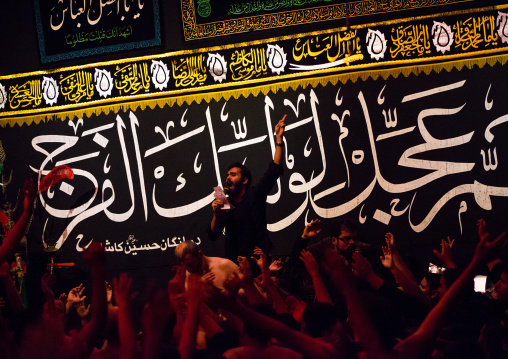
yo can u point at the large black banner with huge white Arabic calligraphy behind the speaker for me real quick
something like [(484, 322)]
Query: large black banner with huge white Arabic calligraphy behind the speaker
[(421, 156)]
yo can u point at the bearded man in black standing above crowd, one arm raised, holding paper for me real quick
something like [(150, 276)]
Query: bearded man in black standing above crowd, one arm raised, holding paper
[(245, 224)]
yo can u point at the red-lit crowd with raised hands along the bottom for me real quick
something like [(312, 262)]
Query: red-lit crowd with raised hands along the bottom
[(215, 308)]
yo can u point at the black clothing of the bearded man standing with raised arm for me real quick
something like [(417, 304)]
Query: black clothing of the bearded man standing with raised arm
[(246, 223)]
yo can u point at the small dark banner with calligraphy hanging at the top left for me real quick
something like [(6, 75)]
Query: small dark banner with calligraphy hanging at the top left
[(77, 28)]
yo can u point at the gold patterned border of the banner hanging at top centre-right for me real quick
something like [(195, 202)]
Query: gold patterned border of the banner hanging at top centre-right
[(194, 31)]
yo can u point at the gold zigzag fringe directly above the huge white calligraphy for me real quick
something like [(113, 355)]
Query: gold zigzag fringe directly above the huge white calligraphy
[(256, 90)]
